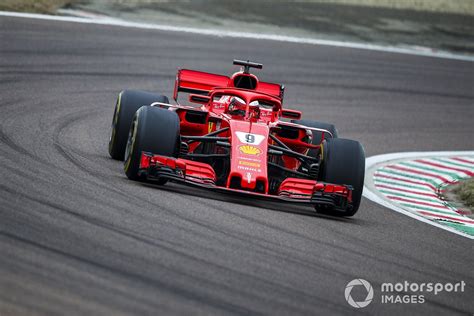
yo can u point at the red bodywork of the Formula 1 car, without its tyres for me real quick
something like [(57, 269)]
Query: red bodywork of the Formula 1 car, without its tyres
[(244, 116)]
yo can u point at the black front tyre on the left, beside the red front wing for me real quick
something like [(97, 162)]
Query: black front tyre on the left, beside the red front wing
[(153, 130)]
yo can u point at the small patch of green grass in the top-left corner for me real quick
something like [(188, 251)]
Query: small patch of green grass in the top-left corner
[(35, 6)]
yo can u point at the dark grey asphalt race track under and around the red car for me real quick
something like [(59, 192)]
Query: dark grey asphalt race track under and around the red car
[(77, 237)]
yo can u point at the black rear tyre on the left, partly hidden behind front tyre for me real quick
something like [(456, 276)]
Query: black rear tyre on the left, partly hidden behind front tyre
[(128, 102)]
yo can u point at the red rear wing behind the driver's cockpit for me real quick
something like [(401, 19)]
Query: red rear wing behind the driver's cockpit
[(198, 82)]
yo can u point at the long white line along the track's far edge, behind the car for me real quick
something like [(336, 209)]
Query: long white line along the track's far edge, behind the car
[(426, 52)]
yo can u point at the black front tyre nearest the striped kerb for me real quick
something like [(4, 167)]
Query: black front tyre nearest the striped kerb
[(343, 163)]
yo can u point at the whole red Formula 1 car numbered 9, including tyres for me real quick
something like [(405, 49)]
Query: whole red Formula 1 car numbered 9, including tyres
[(237, 138)]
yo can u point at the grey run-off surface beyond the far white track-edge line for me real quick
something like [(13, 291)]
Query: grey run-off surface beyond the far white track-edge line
[(331, 21)]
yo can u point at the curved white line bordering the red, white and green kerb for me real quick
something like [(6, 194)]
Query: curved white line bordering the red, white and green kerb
[(369, 193)]
